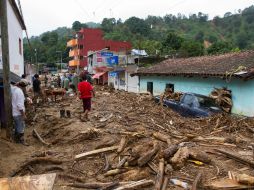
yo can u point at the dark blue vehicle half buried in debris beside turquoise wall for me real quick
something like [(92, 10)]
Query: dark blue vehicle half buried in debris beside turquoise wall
[(192, 105)]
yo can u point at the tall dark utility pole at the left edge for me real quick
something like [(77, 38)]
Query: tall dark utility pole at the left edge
[(6, 67)]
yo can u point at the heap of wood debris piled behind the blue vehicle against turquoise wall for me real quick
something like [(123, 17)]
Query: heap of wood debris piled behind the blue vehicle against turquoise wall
[(223, 98)]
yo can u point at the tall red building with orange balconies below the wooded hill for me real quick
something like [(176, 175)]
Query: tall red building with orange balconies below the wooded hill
[(88, 40)]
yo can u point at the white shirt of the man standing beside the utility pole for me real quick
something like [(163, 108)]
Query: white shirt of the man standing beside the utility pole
[(18, 101)]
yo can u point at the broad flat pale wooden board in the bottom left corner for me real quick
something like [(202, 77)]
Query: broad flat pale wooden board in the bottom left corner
[(35, 182)]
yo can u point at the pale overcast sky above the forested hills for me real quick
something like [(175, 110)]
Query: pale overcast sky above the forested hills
[(45, 15)]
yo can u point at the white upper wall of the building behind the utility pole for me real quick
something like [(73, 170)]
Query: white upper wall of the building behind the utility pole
[(15, 33)]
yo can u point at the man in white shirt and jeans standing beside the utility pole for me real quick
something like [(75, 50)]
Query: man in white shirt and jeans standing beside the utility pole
[(18, 112)]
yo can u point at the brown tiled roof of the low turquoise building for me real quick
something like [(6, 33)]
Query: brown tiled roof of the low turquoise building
[(237, 64)]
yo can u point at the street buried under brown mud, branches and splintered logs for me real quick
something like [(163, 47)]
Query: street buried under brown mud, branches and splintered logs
[(137, 125)]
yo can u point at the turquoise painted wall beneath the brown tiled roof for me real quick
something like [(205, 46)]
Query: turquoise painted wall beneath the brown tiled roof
[(242, 91)]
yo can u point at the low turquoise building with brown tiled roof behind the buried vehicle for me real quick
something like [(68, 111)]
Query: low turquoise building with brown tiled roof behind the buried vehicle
[(201, 75)]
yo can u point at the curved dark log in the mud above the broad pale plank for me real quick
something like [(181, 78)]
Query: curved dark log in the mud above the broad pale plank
[(35, 161)]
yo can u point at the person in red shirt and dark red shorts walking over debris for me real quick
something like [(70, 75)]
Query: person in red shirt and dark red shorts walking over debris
[(85, 90)]
